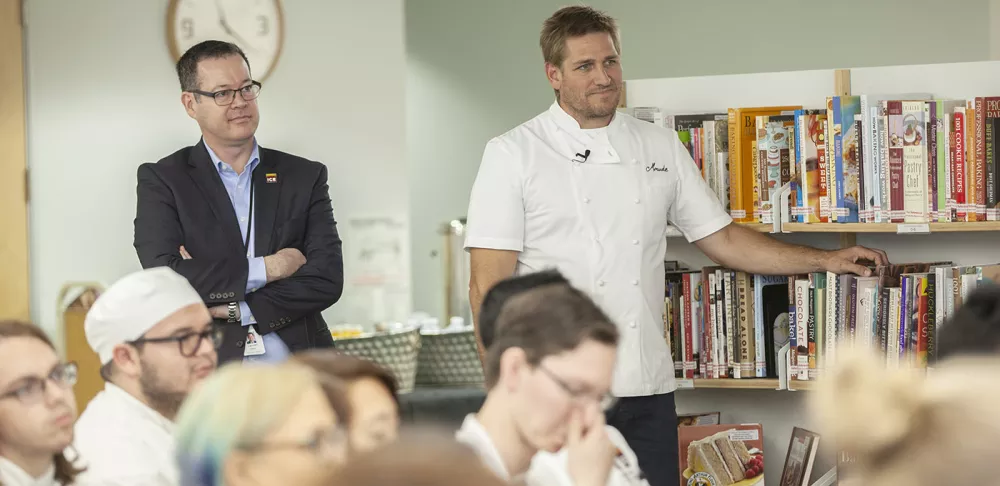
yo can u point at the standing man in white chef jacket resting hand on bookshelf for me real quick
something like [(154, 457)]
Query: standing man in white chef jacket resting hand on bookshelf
[(590, 191)]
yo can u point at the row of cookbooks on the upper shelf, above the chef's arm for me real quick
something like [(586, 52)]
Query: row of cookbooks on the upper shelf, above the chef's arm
[(904, 158)]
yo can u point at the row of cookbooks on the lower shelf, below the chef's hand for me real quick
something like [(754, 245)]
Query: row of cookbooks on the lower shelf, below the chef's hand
[(722, 323)]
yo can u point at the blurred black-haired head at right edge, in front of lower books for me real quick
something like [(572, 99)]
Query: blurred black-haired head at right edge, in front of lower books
[(973, 329)]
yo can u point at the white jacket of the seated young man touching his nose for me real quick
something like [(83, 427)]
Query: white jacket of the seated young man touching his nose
[(549, 469)]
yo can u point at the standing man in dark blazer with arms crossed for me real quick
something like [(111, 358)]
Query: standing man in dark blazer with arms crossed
[(251, 228)]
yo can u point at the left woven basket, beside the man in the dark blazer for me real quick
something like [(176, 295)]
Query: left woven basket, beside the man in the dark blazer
[(395, 351)]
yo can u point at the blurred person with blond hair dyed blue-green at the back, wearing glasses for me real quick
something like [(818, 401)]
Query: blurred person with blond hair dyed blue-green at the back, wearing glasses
[(259, 424)]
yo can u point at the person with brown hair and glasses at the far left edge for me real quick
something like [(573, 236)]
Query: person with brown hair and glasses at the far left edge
[(37, 409)]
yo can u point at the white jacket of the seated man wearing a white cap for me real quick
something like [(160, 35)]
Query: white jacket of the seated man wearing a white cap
[(123, 442)]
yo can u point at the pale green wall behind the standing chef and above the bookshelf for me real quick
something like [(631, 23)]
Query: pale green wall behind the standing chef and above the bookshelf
[(475, 71)]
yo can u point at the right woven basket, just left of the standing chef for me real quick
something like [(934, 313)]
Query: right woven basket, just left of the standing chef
[(449, 359)]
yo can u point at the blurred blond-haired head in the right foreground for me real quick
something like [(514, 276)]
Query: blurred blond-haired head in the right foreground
[(912, 426)]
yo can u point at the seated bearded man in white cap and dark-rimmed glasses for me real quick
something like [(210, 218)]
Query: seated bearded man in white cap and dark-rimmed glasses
[(156, 341)]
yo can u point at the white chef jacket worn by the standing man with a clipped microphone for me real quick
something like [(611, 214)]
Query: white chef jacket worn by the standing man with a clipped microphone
[(601, 222)]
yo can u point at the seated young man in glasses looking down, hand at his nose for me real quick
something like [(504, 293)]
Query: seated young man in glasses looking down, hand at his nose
[(550, 353)]
